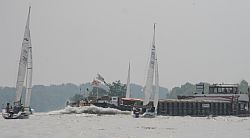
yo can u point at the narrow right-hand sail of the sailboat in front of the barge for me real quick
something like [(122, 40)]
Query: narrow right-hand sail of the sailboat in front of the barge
[(156, 96)]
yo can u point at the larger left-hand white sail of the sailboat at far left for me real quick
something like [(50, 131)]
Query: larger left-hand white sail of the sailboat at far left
[(23, 60)]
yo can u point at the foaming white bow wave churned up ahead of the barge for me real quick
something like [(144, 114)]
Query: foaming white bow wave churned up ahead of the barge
[(88, 109)]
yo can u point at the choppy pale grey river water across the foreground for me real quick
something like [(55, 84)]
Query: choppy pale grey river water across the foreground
[(81, 125)]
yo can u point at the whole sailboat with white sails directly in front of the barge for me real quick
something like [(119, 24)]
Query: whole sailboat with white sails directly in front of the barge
[(151, 93)]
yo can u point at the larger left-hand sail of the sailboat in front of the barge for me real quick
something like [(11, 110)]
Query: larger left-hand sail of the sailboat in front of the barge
[(150, 76)]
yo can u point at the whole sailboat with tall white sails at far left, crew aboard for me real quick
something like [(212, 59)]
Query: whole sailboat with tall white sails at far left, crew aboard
[(20, 111)]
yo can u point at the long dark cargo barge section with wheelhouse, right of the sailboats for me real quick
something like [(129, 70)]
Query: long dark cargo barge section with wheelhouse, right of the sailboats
[(222, 100)]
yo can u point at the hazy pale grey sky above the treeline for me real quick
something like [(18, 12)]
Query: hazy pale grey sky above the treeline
[(196, 40)]
